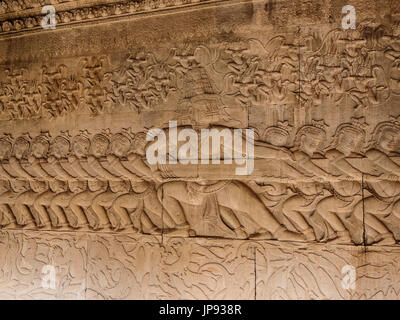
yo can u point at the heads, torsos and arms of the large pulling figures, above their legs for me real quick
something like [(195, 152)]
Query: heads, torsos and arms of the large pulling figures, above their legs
[(84, 155)]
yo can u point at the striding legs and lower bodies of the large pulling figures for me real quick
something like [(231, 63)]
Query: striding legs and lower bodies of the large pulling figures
[(141, 206)]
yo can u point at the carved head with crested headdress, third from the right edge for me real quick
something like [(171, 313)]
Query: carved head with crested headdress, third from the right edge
[(310, 138)]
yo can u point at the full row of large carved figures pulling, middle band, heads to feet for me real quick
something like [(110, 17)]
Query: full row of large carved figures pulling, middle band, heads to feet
[(104, 189)]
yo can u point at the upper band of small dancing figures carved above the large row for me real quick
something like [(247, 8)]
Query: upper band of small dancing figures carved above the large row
[(348, 68)]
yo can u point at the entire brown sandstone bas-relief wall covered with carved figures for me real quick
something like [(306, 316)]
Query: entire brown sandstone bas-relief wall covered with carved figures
[(77, 102)]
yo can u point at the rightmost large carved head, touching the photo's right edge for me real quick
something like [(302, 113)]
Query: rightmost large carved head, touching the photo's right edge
[(386, 136)]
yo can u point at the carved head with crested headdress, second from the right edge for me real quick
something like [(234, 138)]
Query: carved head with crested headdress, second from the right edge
[(350, 137)]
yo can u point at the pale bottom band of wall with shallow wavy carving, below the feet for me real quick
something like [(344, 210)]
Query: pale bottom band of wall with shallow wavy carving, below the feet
[(115, 266)]
